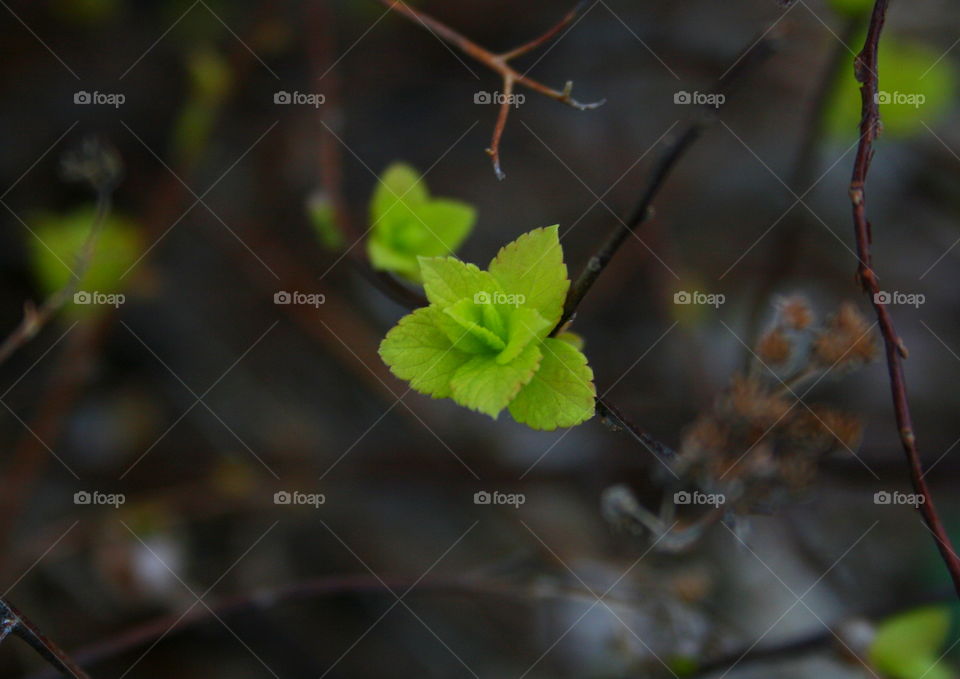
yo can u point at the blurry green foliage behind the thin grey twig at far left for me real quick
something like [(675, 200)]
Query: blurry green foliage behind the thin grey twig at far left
[(59, 239)]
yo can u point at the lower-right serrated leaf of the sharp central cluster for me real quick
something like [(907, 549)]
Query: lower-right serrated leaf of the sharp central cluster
[(561, 394)]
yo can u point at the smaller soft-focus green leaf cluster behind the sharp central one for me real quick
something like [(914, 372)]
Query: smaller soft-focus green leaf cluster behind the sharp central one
[(408, 223)]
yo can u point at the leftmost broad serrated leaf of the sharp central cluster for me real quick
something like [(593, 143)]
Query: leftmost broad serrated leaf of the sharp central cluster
[(417, 351)]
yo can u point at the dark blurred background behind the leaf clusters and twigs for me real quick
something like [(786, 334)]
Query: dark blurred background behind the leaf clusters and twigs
[(194, 399)]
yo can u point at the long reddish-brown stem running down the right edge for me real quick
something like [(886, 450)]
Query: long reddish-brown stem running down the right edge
[(866, 72)]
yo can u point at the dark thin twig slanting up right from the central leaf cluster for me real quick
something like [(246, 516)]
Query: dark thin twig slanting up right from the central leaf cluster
[(675, 150)]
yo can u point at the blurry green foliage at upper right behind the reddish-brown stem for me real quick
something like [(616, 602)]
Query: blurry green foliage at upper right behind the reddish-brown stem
[(913, 90)]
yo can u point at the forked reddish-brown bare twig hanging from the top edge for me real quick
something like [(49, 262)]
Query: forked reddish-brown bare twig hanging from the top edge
[(500, 63)]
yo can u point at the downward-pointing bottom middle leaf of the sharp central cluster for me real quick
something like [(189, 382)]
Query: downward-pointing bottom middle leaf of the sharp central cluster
[(486, 386)]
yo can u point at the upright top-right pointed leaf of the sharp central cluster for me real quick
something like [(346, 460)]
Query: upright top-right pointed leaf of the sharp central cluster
[(532, 266)]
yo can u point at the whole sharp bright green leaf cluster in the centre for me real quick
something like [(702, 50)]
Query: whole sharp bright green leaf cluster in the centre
[(484, 339)]
